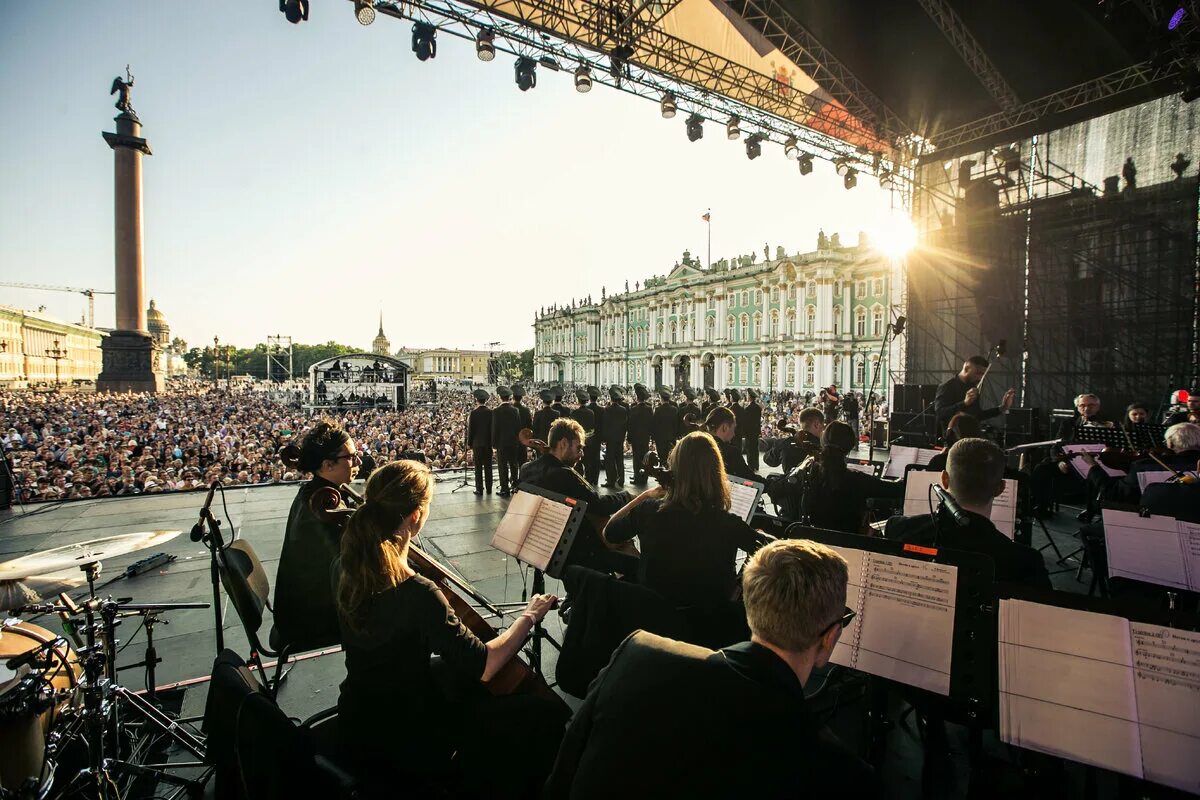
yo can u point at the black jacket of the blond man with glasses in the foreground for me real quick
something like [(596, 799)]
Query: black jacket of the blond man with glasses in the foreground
[(674, 720)]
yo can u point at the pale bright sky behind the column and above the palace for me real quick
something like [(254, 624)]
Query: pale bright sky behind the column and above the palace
[(307, 178)]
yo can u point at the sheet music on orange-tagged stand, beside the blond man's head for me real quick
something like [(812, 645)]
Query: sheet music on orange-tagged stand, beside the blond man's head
[(904, 629)]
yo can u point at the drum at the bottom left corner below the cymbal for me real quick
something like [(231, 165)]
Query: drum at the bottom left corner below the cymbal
[(31, 700)]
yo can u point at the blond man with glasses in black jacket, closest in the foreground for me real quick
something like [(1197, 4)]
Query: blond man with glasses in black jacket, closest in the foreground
[(753, 736)]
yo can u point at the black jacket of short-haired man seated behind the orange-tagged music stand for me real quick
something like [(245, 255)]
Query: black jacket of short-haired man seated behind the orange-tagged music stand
[(1015, 563)]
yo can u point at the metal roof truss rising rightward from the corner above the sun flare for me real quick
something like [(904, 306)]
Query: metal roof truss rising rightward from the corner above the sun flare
[(1137, 77)]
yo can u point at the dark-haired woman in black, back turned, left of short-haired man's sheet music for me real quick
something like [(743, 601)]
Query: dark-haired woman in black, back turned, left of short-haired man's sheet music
[(836, 497)]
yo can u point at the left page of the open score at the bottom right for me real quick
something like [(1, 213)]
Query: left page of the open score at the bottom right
[(1066, 685)]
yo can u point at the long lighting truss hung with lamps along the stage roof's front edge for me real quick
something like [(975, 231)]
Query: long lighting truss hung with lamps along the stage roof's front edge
[(752, 99)]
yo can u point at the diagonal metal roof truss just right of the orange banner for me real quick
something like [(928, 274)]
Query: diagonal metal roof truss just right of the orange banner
[(772, 20)]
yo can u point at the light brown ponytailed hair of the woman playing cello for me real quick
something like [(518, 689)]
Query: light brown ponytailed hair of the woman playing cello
[(373, 543)]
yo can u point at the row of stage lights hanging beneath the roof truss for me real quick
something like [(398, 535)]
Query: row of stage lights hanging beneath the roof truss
[(425, 47)]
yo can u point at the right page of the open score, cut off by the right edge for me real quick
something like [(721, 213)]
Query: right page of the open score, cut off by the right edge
[(1167, 681)]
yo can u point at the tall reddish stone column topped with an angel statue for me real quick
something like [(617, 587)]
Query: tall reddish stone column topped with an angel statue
[(130, 354)]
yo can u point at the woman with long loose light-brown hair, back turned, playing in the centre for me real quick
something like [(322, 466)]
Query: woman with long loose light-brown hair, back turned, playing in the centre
[(688, 538)]
